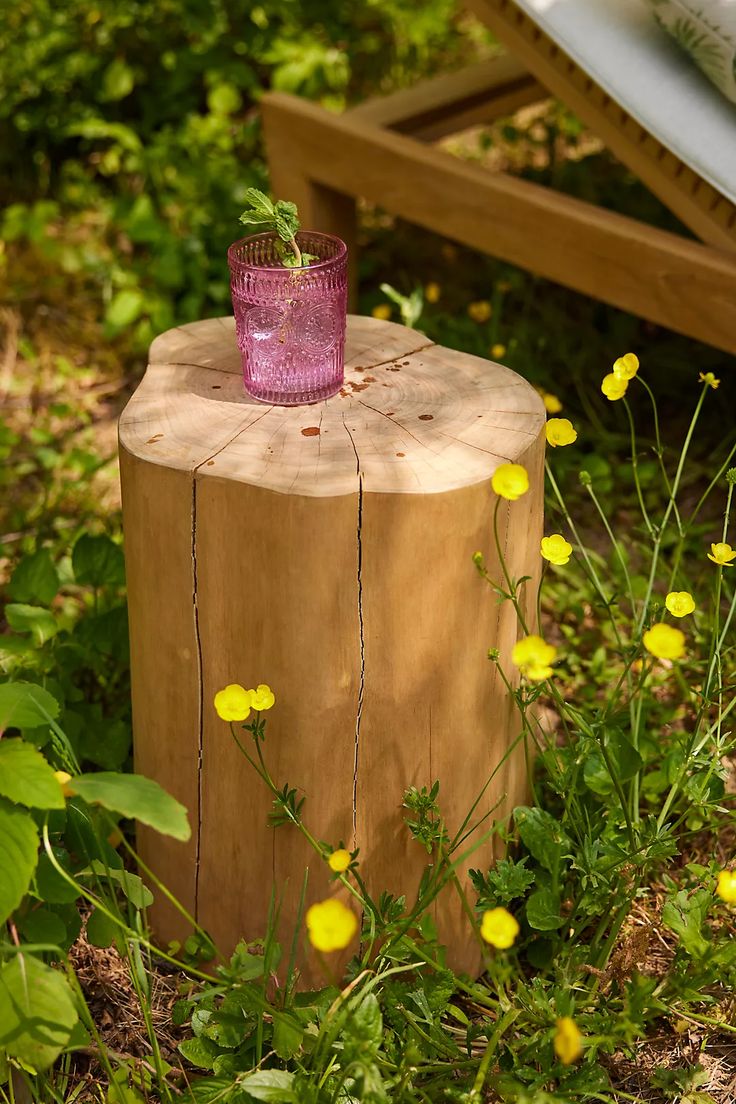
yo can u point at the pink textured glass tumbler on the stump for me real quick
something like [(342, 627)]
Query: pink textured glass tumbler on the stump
[(291, 323)]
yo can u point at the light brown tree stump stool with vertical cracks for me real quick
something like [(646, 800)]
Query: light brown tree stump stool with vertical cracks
[(326, 550)]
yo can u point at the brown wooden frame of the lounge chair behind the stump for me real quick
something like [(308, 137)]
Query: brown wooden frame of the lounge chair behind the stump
[(381, 152)]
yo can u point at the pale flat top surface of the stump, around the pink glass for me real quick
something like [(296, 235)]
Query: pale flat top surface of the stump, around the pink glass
[(413, 418)]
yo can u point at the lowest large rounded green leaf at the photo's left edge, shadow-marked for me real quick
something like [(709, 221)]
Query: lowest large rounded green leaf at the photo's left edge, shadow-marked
[(37, 1012)]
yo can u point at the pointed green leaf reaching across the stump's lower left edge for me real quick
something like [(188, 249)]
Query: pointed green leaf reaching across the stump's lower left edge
[(136, 798)]
